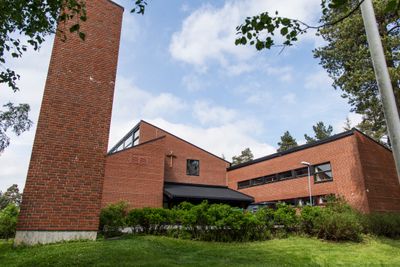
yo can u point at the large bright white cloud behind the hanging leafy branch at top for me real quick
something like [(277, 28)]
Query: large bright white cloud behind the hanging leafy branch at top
[(208, 33)]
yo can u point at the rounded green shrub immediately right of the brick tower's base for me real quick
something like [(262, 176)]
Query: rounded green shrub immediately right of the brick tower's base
[(113, 219)]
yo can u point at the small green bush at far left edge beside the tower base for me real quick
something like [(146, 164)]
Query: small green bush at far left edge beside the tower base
[(8, 221)]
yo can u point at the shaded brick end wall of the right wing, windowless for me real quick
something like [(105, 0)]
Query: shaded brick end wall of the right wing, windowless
[(379, 170)]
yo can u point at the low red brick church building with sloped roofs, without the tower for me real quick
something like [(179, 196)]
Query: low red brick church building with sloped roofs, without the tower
[(144, 166)]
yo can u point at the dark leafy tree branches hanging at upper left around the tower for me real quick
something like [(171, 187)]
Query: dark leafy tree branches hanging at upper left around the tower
[(25, 24)]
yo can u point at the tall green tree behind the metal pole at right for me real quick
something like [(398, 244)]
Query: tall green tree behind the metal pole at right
[(347, 60)]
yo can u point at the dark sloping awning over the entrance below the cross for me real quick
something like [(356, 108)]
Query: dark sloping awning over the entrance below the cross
[(209, 192)]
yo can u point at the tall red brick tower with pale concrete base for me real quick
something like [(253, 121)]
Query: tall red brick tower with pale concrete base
[(62, 195)]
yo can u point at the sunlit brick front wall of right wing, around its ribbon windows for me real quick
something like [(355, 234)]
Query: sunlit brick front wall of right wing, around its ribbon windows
[(347, 176)]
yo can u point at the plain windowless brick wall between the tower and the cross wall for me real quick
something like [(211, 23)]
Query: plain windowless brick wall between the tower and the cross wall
[(136, 175)]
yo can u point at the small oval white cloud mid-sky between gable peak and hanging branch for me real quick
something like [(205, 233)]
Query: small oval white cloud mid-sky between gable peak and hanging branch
[(208, 114)]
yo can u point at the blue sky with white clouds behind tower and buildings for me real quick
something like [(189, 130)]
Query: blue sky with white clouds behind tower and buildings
[(180, 70)]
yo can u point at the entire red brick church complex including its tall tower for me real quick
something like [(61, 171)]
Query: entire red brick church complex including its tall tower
[(71, 175)]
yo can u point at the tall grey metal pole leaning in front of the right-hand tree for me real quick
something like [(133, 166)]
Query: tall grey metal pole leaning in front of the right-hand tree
[(383, 80)]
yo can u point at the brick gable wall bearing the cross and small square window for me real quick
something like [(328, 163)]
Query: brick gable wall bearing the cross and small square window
[(212, 168)]
